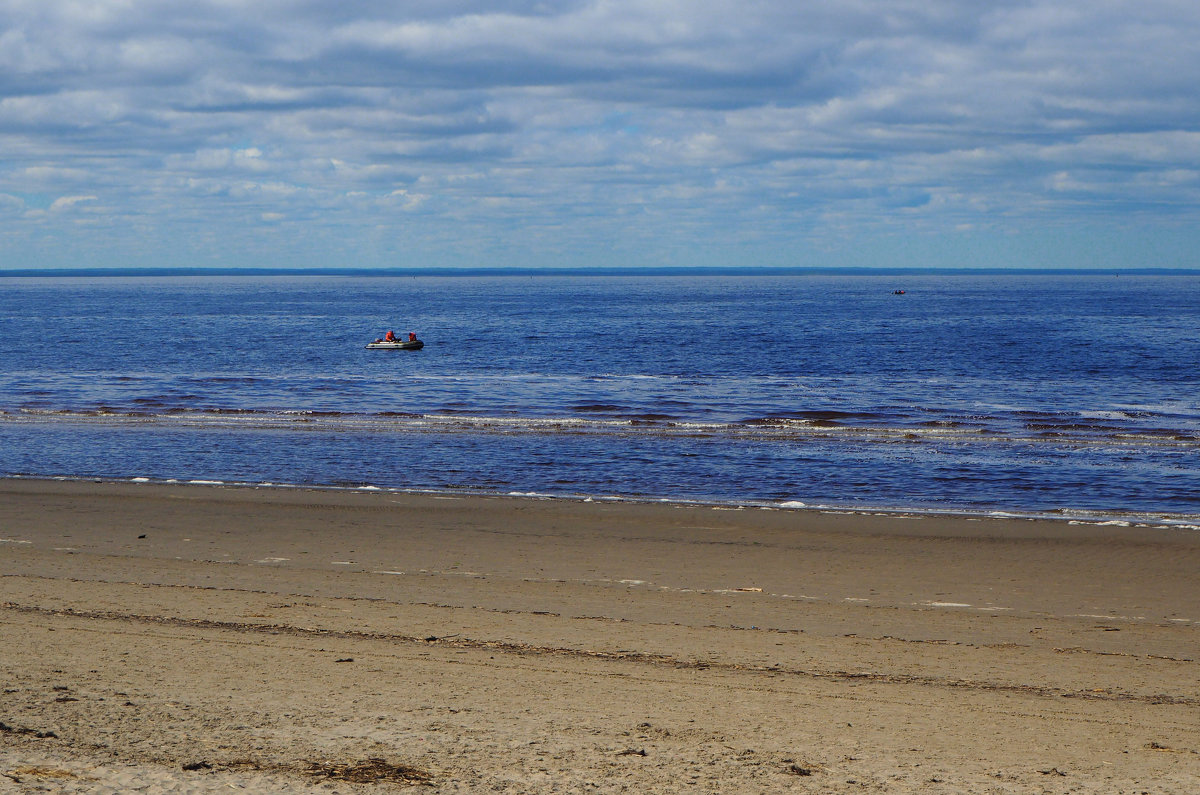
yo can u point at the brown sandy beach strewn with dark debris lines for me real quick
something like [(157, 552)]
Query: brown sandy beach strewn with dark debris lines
[(199, 638)]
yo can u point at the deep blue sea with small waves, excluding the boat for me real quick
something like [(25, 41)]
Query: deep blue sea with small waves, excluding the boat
[(1069, 396)]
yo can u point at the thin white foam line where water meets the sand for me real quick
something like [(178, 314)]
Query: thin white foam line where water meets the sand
[(1084, 517)]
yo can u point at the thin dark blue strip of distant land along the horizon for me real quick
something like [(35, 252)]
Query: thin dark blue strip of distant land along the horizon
[(683, 271)]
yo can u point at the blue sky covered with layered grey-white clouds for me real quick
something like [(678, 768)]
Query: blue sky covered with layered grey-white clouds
[(447, 134)]
